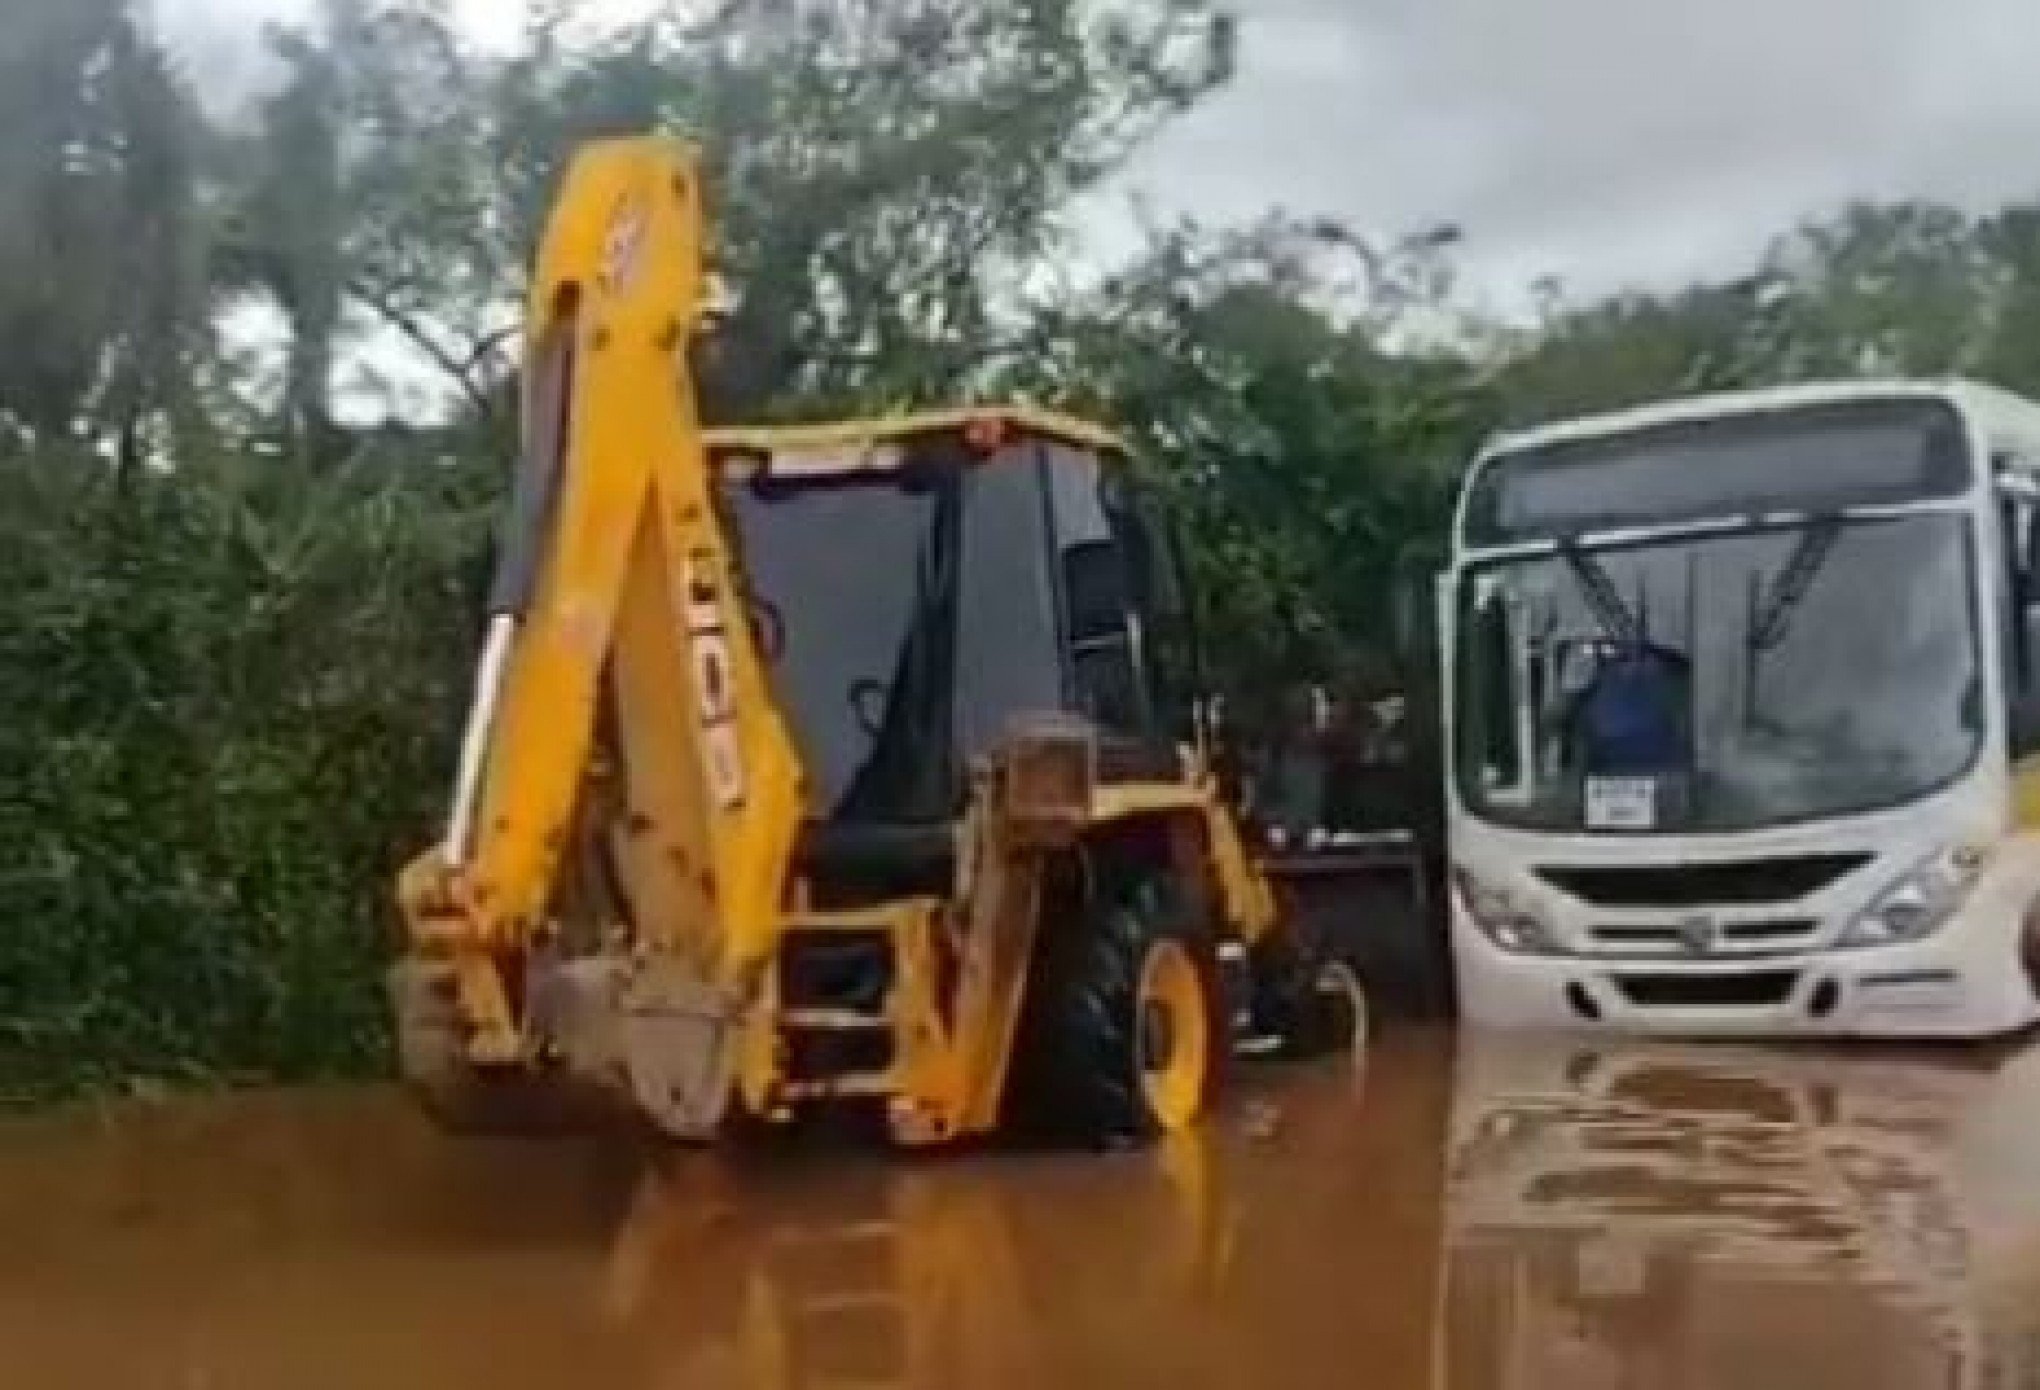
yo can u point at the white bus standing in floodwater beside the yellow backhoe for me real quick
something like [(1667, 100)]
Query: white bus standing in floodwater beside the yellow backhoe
[(1743, 701)]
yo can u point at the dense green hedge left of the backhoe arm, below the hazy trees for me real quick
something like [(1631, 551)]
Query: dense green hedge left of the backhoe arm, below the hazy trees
[(221, 691)]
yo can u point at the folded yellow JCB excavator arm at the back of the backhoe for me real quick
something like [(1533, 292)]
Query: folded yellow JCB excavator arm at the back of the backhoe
[(617, 607)]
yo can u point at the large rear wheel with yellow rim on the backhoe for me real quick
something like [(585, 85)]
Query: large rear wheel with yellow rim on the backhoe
[(1123, 1036)]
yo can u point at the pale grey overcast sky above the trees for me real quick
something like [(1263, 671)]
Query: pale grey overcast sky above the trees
[(1609, 142)]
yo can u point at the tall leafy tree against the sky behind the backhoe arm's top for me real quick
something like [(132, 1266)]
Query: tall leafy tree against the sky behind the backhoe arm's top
[(882, 175)]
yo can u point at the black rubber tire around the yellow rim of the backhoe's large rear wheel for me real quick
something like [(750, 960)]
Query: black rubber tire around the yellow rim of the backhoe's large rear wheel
[(1078, 1062)]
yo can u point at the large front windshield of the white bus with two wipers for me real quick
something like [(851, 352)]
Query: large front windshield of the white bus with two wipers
[(1721, 681)]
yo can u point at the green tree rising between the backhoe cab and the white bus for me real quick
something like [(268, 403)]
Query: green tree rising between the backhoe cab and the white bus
[(1309, 466)]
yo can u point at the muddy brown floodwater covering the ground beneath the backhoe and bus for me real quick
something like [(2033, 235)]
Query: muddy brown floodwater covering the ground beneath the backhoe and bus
[(1472, 1213)]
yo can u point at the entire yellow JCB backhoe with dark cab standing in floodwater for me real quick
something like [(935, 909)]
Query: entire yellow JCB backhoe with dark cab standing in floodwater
[(821, 768)]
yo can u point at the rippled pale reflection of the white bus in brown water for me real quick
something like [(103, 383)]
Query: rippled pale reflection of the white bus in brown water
[(1717, 1215)]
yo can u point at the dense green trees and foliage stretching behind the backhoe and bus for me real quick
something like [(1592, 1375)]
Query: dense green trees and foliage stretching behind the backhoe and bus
[(236, 622)]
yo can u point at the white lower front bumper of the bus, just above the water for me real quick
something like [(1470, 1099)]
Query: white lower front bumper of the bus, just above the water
[(1941, 987)]
